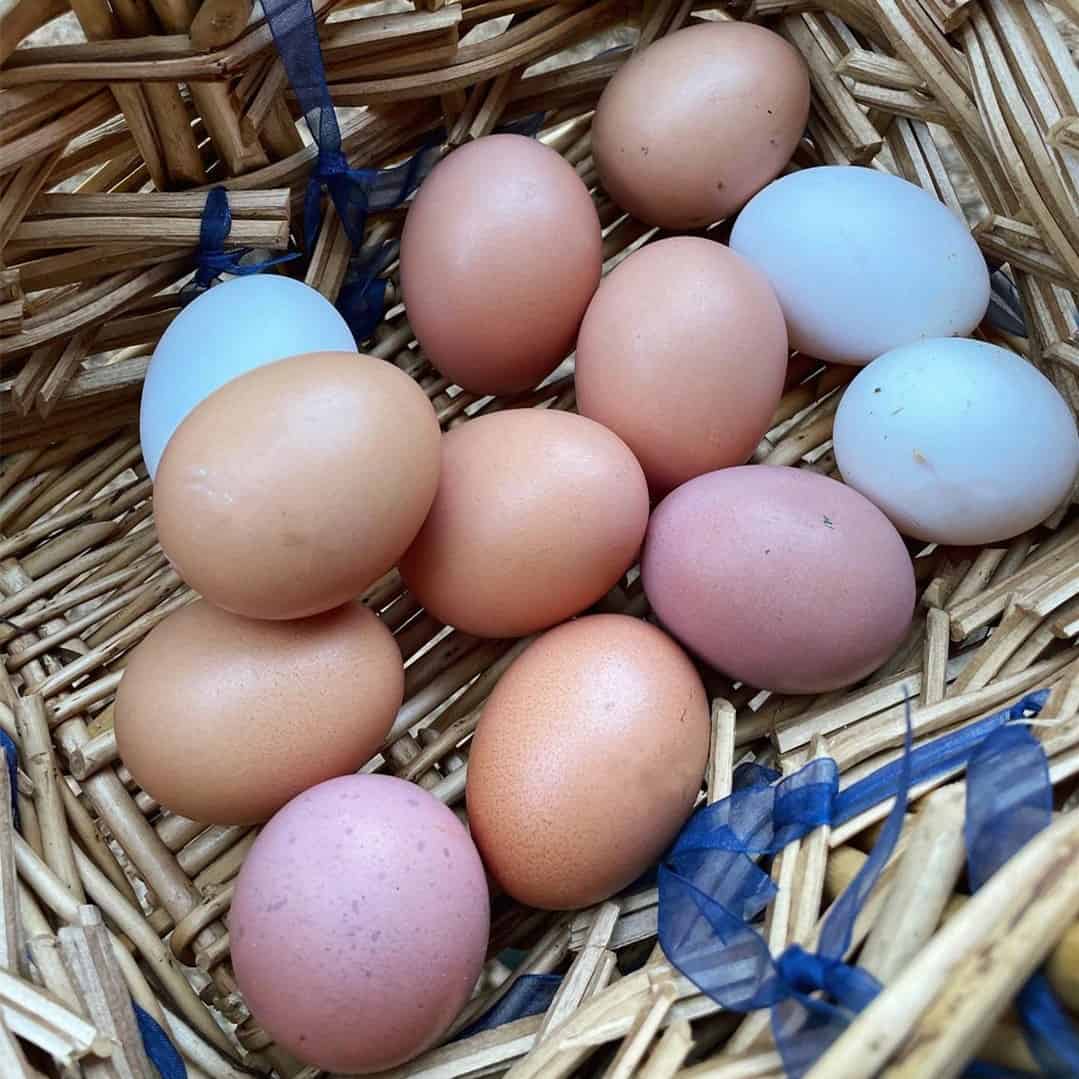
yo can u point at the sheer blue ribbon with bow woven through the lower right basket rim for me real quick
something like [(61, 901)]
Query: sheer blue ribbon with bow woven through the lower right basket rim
[(712, 887)]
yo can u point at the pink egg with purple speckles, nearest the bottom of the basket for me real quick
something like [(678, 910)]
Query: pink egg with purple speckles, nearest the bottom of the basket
[(360, 924)]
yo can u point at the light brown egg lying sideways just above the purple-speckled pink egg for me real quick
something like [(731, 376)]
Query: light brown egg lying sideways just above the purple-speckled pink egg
[(225, 719)]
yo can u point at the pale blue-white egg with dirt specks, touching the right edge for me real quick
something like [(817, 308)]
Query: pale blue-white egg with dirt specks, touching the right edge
[(958, 442)]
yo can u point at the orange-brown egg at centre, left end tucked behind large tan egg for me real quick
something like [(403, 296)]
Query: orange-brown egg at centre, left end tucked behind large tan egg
[(539, 514)]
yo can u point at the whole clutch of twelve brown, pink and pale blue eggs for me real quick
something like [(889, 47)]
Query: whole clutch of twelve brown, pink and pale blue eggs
[(292, 474)]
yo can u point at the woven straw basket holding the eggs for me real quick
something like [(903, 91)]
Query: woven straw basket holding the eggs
[(110, 142)]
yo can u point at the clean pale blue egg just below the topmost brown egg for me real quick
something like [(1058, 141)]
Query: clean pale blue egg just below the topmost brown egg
[(863, 262)]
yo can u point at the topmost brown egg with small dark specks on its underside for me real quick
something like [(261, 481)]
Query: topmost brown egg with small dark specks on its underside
[(693, 126)]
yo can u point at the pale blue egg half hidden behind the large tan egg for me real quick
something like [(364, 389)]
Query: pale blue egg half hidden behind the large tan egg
[(229, 331)]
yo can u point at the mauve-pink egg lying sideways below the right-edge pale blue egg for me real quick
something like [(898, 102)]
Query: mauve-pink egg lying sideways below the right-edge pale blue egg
[(780, 578)]
